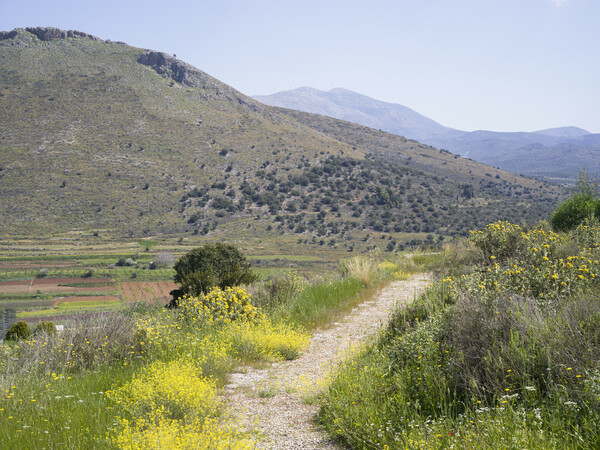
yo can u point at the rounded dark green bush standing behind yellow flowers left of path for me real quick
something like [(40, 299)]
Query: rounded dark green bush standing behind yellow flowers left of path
[(221, 265)]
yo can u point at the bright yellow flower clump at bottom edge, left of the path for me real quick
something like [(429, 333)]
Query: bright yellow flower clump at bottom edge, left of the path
[(170, 405)]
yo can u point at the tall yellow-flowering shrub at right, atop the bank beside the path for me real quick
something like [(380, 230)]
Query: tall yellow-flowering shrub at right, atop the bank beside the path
[(539, 268)]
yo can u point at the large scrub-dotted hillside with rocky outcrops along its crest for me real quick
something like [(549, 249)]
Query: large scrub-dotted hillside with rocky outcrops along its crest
[(99, 135)]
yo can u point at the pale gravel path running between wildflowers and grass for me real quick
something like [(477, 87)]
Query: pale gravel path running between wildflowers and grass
[(270, 400)]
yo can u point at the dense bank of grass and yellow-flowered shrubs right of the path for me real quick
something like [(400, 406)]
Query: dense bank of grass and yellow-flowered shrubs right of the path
[(489, 359)]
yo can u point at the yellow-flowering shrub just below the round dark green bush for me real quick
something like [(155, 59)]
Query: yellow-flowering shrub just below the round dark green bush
[(233, 328)]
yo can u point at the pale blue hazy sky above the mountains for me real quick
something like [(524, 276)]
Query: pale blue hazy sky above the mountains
[(503, 65)]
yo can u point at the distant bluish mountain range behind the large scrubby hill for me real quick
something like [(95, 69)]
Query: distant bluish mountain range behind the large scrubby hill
[(556, 153)]
